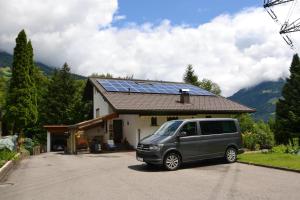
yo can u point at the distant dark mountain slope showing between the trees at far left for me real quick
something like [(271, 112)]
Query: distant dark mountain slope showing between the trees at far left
[(6, 60)]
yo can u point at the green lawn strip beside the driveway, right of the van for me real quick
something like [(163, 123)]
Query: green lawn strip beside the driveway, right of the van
[(272, 159)]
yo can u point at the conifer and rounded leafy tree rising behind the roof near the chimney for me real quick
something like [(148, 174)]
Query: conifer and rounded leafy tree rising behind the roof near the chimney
[(191, 78)]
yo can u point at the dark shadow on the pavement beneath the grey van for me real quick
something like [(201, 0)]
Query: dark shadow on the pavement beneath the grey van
[(199, 165)]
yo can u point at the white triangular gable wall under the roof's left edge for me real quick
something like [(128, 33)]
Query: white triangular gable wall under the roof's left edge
[(99, 102)]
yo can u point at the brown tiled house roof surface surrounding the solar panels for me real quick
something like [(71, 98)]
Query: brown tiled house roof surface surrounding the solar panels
[(145, 103)]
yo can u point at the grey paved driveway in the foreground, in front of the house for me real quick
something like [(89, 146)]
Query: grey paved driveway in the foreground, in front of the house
[(120, 176)]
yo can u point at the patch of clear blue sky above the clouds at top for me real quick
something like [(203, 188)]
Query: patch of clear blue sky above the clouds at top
[(191, 12)]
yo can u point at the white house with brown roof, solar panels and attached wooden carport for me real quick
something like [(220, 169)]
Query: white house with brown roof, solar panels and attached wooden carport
[(128, 110)]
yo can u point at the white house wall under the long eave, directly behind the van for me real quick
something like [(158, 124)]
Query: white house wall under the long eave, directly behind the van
[(133, 123)]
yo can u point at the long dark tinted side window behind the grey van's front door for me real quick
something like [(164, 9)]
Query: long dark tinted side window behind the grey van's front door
[(217, 127)]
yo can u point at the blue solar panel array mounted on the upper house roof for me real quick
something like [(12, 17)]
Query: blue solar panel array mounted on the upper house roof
[(150, 87)]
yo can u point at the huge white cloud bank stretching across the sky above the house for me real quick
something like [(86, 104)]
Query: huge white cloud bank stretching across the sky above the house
[(234, 51)]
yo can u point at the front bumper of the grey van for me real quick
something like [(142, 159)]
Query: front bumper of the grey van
[(152, 157)]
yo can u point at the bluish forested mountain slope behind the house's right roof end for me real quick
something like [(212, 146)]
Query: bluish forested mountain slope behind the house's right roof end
[(262, 97)]
